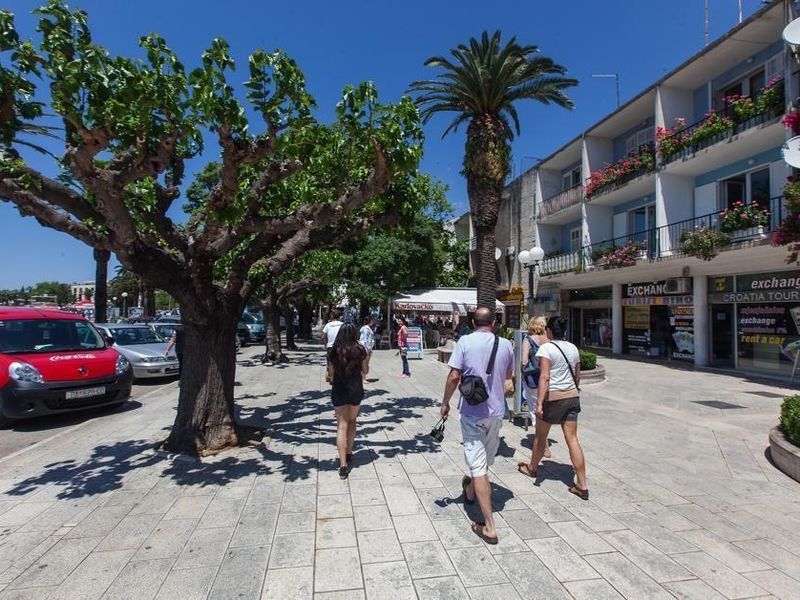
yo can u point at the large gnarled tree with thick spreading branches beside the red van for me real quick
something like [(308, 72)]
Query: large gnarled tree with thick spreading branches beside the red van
[(131, 129)]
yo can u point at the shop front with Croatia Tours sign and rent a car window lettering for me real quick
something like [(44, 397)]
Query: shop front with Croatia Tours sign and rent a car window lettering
[(755, 321)]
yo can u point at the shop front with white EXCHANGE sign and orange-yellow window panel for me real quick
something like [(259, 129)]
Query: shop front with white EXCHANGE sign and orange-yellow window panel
[(658, 319)]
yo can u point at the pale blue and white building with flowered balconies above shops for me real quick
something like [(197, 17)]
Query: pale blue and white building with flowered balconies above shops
[(657, 221)]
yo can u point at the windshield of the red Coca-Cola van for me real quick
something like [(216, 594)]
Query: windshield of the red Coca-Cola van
[(48, 335)]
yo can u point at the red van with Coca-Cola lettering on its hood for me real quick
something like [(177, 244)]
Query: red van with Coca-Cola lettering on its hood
[(52, 361)]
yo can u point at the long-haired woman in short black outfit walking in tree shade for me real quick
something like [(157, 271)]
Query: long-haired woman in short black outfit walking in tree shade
[(346, 369)]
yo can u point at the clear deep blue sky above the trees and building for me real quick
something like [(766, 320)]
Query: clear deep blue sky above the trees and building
[(349, 41)]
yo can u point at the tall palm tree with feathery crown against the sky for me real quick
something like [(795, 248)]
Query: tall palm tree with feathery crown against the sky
[(481, 85)]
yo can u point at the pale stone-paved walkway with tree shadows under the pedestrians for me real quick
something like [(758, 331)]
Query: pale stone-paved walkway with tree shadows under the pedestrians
[(684, 502)]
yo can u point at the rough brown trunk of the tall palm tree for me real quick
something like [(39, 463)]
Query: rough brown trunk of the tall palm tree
[(486, 166)]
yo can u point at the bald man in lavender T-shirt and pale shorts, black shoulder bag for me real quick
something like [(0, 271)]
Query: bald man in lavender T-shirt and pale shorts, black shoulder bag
[(479, 367)]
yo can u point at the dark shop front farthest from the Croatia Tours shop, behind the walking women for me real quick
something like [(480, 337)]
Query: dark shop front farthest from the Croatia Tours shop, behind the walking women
[(590, 318)]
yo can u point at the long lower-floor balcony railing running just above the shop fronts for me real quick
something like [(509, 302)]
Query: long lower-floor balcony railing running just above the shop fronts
[(656, 243)]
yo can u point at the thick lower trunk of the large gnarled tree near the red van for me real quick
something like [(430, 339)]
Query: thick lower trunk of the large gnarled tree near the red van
[(205, 423)]
